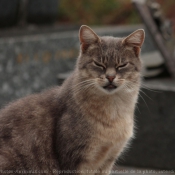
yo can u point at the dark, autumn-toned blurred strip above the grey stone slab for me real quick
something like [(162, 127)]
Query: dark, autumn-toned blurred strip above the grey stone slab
[(75, 12)]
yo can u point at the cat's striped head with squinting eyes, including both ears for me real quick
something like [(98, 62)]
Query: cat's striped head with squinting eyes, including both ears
[(109, 63)]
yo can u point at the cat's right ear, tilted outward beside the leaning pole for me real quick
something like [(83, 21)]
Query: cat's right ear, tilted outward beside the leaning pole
[(135, 40)]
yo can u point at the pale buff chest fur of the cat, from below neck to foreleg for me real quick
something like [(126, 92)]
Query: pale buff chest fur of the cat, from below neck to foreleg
[(112, 120)]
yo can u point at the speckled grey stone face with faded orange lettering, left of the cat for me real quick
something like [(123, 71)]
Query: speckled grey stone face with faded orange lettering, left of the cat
[(30, 66)]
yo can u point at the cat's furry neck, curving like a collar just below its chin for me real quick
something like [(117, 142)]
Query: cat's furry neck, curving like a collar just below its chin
[(94, 102)]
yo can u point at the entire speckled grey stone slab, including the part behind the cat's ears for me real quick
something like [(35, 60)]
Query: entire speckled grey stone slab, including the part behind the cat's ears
[(30, 63)]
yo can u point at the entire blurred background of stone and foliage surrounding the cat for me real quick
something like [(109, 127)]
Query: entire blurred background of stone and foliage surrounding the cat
[(39, 45)]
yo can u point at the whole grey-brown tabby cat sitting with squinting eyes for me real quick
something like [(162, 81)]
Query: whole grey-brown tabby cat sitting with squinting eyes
[(82, 126)]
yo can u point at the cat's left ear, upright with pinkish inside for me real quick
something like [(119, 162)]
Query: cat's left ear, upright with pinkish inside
[(87, 37)]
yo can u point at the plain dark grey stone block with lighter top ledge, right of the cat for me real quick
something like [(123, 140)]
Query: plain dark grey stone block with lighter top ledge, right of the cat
[(155, 132)]
